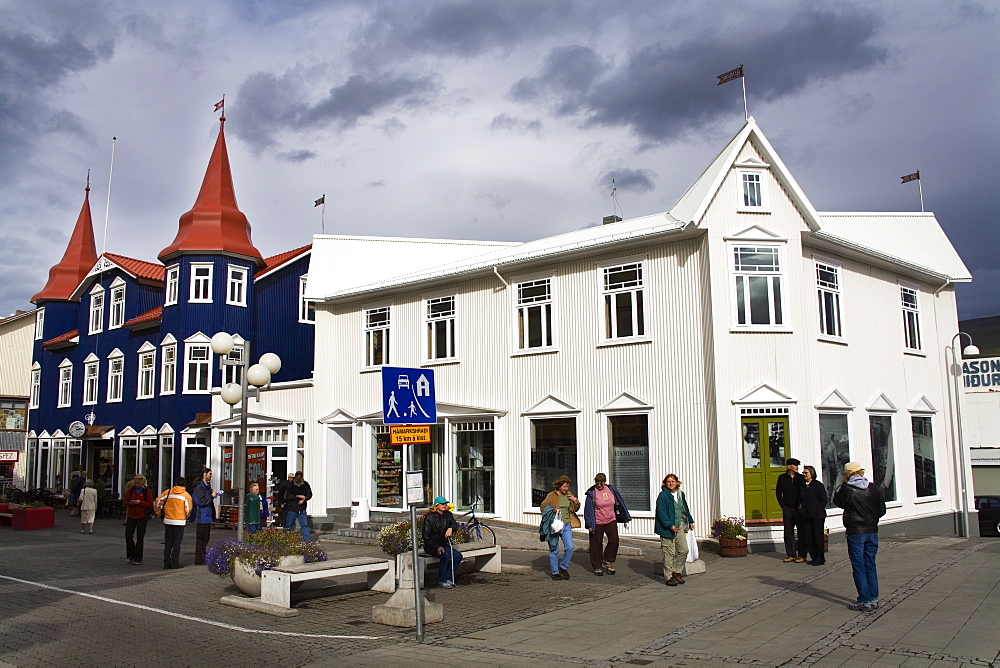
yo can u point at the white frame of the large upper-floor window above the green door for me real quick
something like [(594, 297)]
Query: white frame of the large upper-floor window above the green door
[(741, 288)]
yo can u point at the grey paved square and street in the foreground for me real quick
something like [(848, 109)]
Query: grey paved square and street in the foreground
[(73, 599)]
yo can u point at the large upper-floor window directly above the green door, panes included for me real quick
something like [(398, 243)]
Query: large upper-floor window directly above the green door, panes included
[(757, 286)]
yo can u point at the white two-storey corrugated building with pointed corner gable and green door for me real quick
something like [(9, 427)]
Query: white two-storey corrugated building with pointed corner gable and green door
[(714, 340)]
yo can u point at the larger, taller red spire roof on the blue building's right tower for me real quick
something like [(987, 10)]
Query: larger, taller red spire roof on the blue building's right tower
[(215, 223)]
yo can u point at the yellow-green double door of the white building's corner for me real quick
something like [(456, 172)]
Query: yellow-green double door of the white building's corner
[(765, 448)]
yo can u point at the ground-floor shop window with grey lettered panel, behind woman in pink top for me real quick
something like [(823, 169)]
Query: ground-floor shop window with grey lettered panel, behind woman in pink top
[(629, 459)]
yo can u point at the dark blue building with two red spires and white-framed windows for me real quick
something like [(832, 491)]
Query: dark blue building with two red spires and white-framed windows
[(123, 372)]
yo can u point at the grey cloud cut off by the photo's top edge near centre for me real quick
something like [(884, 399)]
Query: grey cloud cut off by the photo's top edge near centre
[(463, 29)]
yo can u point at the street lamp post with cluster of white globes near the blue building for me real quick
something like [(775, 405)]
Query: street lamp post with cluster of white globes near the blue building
[(258, 375)]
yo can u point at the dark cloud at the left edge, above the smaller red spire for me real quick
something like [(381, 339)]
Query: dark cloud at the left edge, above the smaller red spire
[(32, 68)]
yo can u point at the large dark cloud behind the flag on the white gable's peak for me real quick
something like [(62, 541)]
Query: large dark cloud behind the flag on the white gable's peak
[(667, 88)]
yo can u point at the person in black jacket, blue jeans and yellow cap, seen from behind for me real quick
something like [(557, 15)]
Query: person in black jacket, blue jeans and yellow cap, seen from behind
[(863, 506)]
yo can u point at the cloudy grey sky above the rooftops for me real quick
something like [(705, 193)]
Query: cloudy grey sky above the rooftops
[(493, 119)]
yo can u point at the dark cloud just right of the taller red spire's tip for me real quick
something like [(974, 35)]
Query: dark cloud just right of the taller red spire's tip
[(276, 102)]
